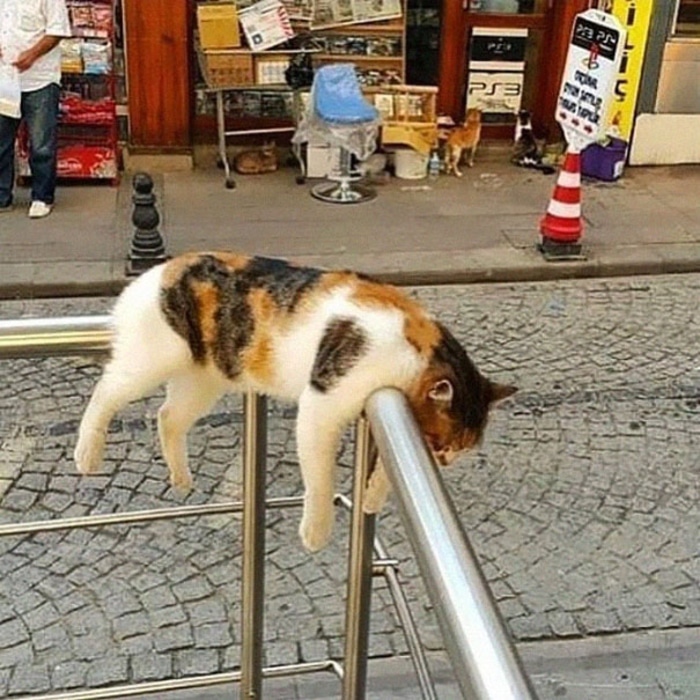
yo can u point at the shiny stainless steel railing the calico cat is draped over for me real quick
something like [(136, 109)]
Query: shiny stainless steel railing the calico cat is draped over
[(486, 663)]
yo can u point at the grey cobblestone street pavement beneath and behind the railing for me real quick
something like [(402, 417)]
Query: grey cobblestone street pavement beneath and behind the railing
[(583, 503)]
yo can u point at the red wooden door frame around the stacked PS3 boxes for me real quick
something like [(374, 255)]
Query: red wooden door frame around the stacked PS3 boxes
[(556, 25)]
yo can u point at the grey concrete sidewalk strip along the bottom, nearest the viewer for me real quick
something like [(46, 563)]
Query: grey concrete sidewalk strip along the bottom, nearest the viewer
[(636, 666)]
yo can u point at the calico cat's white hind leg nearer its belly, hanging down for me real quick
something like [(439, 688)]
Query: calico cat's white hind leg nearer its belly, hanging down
[(189, 396)]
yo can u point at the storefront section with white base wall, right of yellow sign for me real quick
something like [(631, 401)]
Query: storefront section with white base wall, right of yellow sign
[(667, 126)]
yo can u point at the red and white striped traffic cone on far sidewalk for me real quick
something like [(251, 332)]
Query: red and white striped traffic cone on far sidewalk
[(561, 226)]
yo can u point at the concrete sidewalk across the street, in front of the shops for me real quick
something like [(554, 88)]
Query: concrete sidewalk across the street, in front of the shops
[(483, 227)]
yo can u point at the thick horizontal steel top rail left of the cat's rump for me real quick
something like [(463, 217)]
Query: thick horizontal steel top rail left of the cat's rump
[(51, 337)]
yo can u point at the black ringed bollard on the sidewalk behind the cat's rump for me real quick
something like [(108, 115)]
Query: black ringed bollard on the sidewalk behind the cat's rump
[(147, 247)]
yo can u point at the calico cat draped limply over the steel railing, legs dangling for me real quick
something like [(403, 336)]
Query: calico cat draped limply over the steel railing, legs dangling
[(209, 323)]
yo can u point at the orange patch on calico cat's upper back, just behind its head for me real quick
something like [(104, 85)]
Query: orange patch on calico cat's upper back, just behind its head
[(419, 329)]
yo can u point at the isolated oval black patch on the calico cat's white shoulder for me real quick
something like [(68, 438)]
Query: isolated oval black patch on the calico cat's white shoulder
[(342, 345)]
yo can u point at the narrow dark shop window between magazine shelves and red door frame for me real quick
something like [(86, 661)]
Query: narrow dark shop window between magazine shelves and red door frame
[(422, 41)]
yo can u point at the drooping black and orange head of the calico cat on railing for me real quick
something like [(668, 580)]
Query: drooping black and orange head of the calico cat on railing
[(452, 399)]
